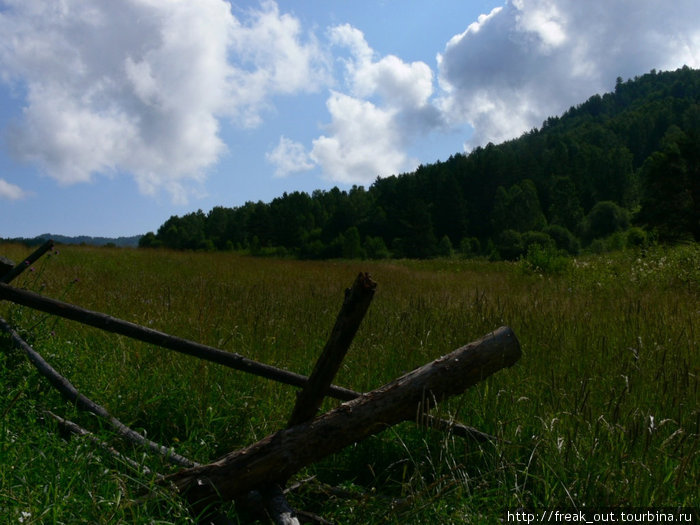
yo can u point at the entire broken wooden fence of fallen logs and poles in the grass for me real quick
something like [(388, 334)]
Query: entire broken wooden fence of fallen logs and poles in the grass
[(259, 464)]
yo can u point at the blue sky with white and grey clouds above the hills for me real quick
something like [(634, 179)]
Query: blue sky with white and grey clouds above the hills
[(116, 114)]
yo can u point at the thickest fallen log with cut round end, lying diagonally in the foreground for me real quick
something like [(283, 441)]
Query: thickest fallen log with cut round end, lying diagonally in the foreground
[(282, 454)]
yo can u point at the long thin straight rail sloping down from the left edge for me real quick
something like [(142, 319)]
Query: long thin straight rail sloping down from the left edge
[(154, 337)]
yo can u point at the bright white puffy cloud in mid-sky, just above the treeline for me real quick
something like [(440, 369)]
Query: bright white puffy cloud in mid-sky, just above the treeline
[(387, 106)]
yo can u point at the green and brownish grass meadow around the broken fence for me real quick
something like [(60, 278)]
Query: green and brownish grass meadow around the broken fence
[(603, 409)]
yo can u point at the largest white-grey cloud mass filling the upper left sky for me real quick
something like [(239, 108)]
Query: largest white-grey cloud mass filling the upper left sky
[(139, 86)]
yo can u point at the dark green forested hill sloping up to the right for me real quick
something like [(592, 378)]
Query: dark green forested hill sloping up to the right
[(619, 168)]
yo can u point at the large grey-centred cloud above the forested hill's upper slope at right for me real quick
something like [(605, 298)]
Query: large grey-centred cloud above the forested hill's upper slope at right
[(531, 59)]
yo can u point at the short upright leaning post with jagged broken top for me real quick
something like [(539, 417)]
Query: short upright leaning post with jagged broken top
[(357, 300)]
